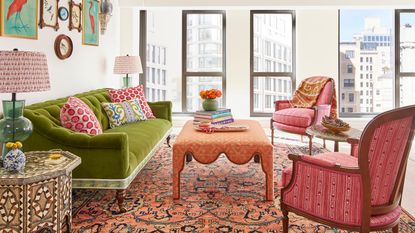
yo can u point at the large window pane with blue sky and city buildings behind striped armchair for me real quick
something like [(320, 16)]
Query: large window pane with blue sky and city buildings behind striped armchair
[(361, 30)]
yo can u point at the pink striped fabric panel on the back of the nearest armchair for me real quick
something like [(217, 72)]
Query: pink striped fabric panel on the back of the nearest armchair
[(385, 155)]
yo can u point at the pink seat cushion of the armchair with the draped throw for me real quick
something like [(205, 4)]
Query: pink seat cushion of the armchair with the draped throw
[(299, 117)]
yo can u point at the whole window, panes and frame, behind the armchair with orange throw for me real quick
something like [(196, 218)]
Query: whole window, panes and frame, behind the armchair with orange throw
[(272, 66)]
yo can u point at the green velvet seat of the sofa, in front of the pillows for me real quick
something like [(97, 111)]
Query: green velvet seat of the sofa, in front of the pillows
[(143, 136)]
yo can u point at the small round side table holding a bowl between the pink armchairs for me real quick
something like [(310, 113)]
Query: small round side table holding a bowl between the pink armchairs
[(319, 131)]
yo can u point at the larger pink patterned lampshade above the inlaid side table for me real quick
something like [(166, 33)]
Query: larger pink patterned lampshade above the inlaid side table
[(23, 71)]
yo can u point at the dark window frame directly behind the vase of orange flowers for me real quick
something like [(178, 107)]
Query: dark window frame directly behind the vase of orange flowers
[(185, 73)]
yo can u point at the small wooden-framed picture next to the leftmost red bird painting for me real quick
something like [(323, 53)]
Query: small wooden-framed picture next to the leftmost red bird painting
[(48, 14)]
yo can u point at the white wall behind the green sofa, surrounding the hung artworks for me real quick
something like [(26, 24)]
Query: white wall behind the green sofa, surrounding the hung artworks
[(89, 67)]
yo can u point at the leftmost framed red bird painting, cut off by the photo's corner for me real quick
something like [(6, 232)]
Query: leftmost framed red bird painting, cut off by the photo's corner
[(19, 18)]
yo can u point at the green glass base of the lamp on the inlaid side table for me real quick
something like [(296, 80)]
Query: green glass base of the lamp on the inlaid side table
[(14, 126)]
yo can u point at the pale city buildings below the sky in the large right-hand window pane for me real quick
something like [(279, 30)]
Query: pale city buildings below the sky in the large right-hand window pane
[(366, 80)]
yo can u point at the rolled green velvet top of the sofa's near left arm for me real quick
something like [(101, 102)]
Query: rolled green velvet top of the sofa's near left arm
[(62, 136)]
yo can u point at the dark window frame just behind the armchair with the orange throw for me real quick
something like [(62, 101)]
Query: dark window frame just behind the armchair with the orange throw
[(253, 73)]
